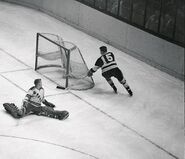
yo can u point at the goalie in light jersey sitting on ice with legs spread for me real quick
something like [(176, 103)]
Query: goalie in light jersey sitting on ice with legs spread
[(32, 104)]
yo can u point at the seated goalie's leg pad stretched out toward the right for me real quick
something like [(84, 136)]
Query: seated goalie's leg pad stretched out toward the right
[(49, 112)]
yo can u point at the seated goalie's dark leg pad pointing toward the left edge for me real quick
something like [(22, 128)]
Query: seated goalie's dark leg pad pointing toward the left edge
[(12, 109)]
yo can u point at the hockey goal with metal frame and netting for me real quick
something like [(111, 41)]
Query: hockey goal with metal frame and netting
[(61, 62)]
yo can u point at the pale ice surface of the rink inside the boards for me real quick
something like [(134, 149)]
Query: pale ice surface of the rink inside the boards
[(102, 125)]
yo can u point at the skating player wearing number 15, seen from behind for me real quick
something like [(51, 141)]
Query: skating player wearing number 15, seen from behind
[(109, 69)]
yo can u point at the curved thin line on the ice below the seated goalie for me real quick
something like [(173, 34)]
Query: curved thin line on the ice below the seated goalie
[(50, 143)]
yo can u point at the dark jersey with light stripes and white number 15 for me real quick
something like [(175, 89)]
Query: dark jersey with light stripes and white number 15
[(106, 62)]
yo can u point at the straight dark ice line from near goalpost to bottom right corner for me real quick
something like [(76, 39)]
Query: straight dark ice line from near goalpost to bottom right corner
[(124, 125)]
